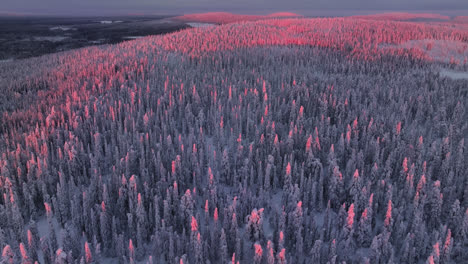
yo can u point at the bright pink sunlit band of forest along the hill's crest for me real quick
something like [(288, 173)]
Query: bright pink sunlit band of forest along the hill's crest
[(356, 33)]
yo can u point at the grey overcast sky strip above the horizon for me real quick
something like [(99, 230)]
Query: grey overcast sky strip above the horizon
[(244, 6)]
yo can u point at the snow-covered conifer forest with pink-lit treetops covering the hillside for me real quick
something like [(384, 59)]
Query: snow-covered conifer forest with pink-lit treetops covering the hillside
[(269, 141)]
